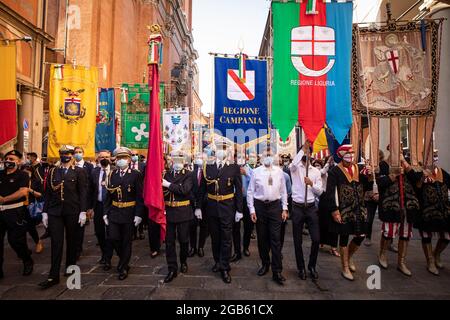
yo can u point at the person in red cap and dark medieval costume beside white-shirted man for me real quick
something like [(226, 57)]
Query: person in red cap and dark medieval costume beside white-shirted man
[(345, 202)]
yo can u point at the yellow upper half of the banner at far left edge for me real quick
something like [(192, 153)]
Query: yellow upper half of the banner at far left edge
[(8, 71)]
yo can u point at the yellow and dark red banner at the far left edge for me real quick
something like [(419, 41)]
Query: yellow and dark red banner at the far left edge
[(8, 110)]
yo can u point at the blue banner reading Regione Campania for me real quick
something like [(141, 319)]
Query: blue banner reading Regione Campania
[(240, 103)]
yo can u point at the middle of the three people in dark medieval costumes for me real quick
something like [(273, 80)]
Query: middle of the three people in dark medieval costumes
[(398, 205)]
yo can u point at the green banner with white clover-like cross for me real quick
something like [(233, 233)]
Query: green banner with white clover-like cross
[(134, 110)]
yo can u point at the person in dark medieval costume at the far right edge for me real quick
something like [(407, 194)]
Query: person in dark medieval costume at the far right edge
[(435, 214)]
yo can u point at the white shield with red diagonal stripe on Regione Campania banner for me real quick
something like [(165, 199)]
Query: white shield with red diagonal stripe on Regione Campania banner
[(238, 90)]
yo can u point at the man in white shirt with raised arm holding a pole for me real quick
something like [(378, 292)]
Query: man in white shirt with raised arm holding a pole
[(307, 182)]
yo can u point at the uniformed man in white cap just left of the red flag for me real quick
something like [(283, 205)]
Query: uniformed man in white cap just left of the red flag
[(123, 208)]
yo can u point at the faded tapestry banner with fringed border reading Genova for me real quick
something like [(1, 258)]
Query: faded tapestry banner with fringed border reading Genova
[(396, 69)]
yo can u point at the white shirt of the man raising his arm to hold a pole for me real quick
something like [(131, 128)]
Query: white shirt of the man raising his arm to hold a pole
[(298, 174)]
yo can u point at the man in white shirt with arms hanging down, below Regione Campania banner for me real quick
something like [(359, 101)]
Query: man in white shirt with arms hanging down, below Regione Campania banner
[(267, 203)]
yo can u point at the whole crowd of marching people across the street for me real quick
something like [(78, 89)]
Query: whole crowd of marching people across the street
[(335, 203)]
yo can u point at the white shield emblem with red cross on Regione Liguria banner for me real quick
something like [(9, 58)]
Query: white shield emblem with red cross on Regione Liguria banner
[(312, 41)]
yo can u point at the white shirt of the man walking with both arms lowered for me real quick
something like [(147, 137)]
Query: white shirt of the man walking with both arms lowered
[(260, 189)]
